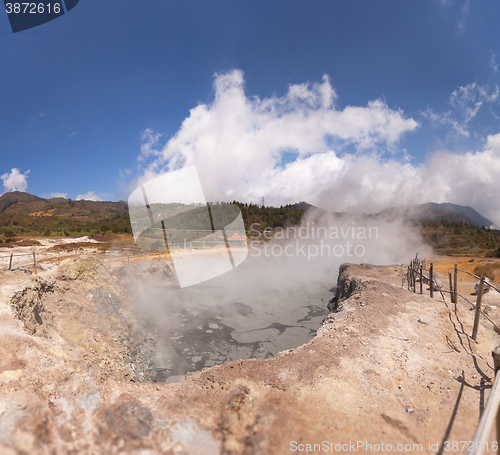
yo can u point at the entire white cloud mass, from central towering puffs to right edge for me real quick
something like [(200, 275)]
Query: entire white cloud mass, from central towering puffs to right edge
[(238, 142)]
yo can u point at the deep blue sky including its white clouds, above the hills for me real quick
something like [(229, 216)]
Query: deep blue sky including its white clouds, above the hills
[(398, 100)]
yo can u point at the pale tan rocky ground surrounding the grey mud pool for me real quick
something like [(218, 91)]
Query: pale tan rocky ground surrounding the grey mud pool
[(386, 367)]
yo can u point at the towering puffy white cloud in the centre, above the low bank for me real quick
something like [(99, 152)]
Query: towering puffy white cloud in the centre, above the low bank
[(238, 142)]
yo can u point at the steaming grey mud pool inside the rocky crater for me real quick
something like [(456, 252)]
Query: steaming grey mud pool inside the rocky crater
[(196, 329)]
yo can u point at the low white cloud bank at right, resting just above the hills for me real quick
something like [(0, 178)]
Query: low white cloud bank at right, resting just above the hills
[(369, 184)]
